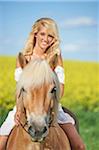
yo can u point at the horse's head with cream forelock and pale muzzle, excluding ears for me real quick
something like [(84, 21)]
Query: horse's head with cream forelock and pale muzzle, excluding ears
[(38, 90)]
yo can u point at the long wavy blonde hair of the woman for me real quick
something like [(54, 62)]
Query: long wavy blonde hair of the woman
[(53, 51)]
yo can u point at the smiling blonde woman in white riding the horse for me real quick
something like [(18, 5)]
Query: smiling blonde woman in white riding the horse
[(43, 42)]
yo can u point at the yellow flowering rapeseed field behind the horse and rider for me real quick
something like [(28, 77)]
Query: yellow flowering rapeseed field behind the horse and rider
[(81, 84)]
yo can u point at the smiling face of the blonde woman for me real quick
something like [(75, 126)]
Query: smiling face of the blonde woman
[(44, 38)]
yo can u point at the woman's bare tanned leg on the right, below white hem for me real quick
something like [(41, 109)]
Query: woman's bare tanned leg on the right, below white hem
[(73, 136)]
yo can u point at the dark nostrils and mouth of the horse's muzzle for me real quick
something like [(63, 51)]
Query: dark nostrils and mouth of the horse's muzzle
[(38, 134)]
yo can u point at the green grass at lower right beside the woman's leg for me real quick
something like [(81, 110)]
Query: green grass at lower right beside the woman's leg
[(89, 128)]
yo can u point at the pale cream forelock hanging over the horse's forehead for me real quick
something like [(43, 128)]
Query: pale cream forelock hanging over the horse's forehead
[(35, 74)]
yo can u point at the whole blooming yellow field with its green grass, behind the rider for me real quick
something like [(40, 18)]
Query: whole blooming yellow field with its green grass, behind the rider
[(81, 95)]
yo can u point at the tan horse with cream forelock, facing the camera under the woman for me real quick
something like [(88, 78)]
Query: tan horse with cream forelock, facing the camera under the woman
[(37, 97)]
